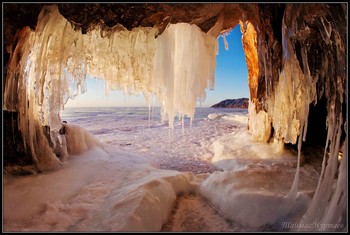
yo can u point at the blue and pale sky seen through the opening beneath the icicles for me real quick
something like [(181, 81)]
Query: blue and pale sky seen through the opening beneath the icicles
[(231, 81)]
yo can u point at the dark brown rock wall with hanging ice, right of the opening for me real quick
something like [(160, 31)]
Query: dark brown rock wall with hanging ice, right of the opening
[(309, 40)]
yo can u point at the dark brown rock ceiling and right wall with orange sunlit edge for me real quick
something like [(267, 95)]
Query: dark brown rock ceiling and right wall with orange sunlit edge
[(315, 34)]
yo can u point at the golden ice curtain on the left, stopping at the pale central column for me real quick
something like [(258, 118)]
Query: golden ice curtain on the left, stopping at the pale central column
[(54, 62)]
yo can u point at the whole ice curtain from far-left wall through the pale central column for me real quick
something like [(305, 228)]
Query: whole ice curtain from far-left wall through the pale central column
[(50, 65)]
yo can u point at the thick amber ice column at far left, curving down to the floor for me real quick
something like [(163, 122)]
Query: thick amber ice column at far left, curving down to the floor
[(39, 71)]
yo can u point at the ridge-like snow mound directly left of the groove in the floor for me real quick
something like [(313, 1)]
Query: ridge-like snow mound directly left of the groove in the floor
[(144, 207)]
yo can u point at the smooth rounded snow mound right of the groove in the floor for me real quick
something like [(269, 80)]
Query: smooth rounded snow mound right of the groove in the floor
[(250, 208)]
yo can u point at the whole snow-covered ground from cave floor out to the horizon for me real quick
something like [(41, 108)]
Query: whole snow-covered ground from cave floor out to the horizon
[(208, 176)]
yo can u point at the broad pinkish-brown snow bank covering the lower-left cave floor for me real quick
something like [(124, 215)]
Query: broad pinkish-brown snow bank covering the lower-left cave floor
[(97, 191)]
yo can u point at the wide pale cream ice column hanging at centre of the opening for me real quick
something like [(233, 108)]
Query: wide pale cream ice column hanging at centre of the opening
[(184, 66)]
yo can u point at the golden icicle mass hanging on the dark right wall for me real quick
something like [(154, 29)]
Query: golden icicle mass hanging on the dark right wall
[(293, 94)]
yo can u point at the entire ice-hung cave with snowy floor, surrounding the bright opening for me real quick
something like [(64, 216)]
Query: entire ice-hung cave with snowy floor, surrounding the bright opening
[(296, 56)]
